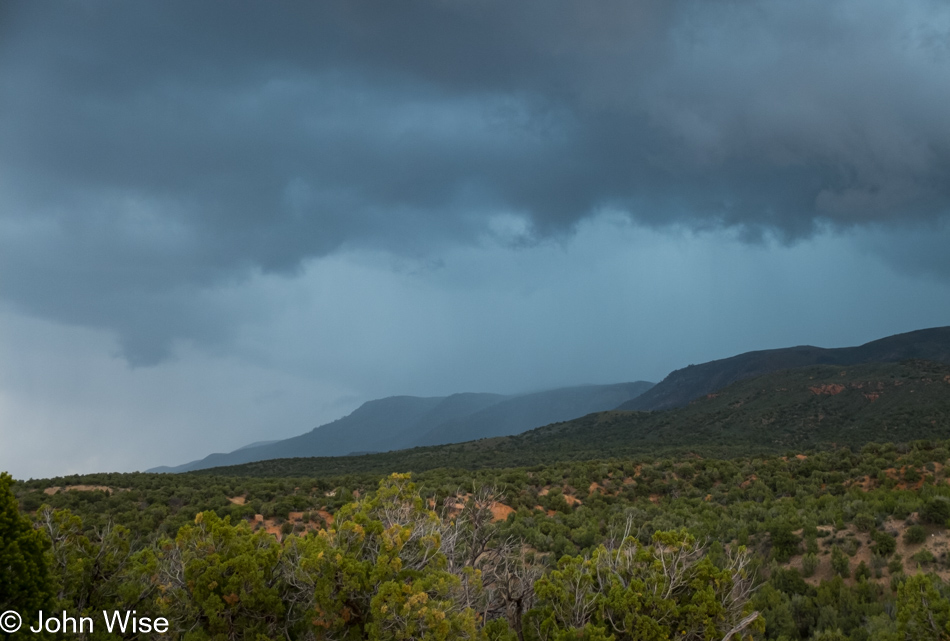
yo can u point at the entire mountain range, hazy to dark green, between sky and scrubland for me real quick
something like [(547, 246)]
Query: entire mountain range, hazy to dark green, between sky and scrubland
[(407, 422)]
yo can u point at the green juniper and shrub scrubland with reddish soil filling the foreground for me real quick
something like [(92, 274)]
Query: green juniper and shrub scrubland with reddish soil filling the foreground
[(836, 544)]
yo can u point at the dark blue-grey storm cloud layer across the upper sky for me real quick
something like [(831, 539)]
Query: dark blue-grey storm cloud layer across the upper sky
[(150, 151)]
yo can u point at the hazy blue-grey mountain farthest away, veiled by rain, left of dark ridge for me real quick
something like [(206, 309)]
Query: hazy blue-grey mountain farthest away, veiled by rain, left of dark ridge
[(405, 421)]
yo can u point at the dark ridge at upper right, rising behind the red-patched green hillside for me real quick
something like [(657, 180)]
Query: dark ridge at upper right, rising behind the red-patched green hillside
[(684, 385)]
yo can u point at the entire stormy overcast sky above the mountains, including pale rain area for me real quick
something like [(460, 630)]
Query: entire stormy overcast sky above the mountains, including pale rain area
[(229, 223)]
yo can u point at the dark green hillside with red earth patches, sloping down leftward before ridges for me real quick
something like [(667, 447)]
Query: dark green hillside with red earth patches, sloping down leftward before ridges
[(792, 410)]
